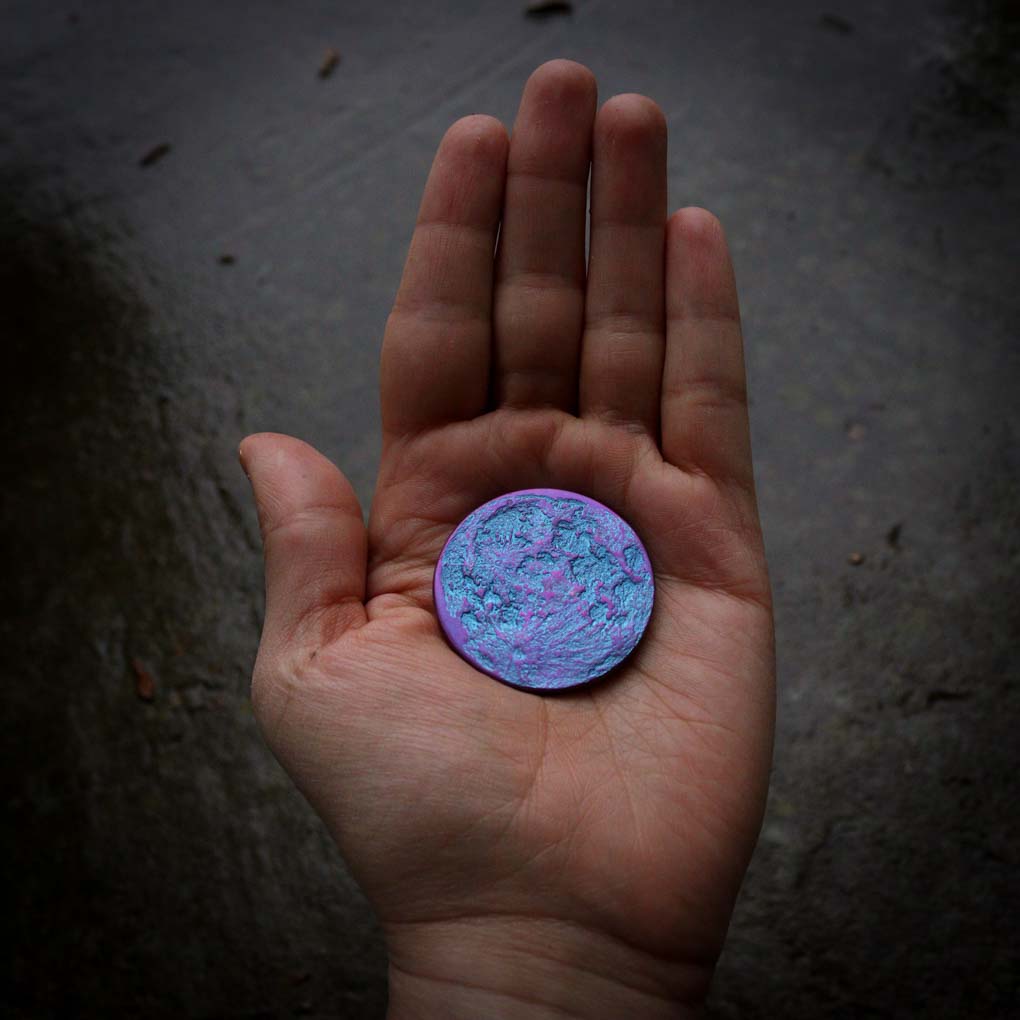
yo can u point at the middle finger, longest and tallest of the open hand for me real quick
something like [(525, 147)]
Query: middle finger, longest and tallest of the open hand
[(540, 287)]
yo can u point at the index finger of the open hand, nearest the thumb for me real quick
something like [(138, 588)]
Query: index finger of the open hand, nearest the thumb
[(436, 353)]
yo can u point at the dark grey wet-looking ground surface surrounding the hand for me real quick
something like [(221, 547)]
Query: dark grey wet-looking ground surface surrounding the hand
[(863, 160)]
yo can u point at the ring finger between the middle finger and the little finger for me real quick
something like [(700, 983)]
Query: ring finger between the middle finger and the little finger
[(623, 350)]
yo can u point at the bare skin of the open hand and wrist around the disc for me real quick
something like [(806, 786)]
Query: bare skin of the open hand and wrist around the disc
[(530, 855)]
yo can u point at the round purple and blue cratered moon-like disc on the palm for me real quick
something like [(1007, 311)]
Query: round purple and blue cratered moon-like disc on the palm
[(544, 589)]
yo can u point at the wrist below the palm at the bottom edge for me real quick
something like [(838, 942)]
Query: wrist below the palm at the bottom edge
[(517, 968)]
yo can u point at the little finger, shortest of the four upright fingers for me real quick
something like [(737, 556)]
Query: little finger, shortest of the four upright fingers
[(704, 391)]
